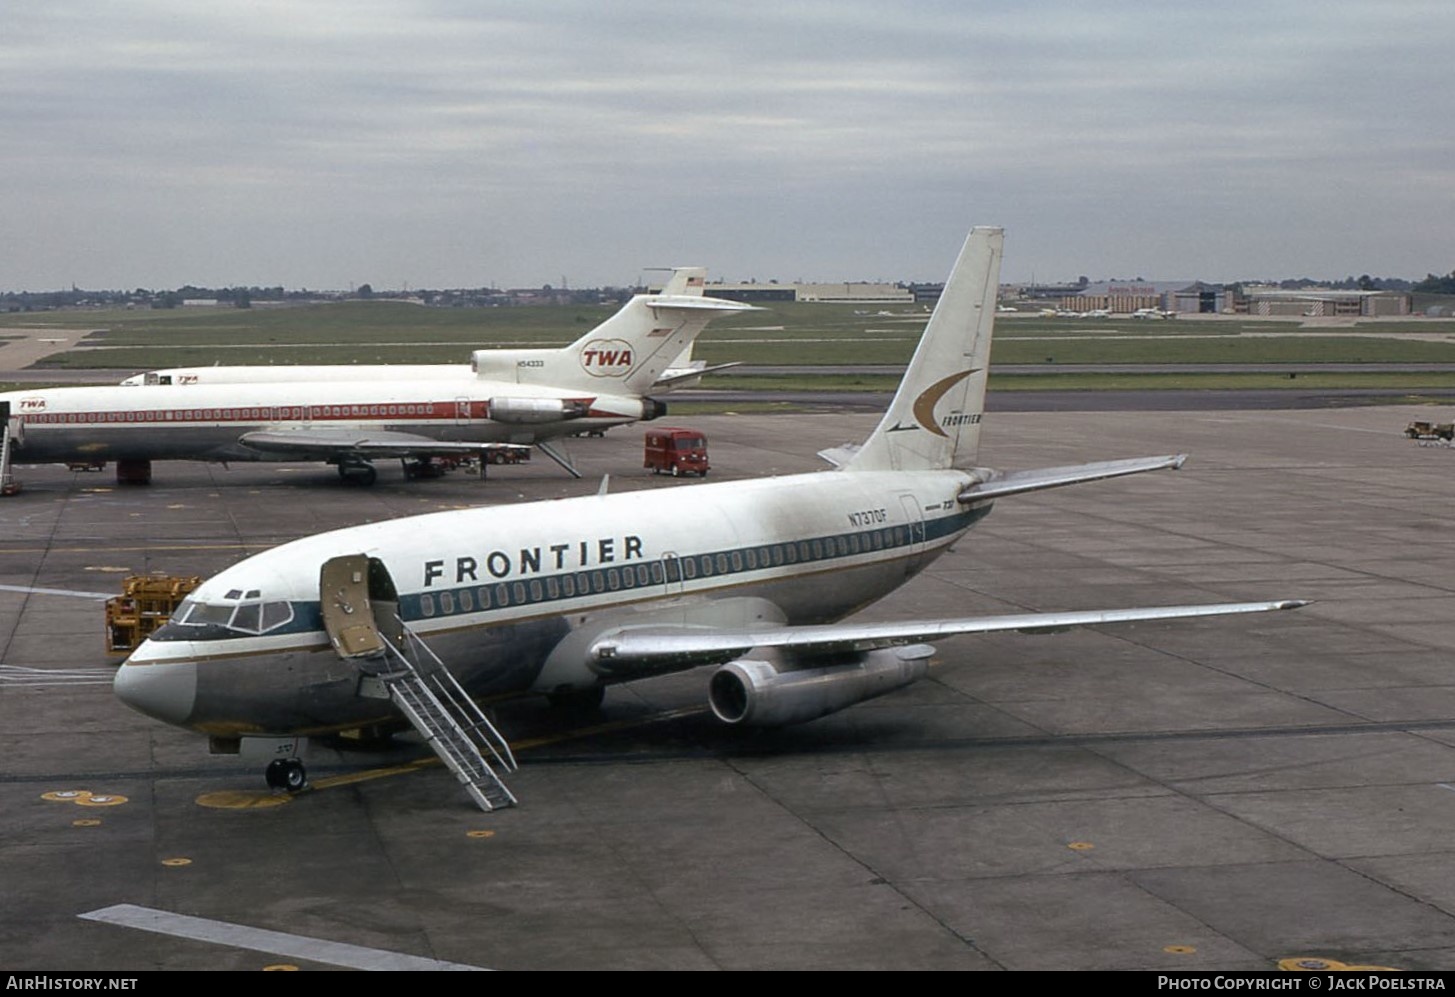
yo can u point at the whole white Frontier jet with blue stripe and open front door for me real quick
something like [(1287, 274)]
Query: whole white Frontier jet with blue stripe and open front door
[(415, 621)]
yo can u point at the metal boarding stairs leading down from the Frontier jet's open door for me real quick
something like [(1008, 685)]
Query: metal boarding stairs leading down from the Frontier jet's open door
[(449, 721)]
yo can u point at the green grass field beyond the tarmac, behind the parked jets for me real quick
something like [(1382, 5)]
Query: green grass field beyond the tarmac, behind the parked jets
[(391, 333)]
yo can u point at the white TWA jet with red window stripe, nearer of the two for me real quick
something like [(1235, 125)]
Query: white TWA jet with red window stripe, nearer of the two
[(516, 398)]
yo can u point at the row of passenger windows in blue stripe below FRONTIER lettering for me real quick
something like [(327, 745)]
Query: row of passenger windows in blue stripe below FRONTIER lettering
[(657, 573)]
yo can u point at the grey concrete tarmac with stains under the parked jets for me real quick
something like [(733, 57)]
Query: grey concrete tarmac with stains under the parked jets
[(1207, 794)]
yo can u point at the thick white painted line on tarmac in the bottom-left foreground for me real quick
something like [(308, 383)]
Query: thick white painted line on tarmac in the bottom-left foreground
[(241, 937)]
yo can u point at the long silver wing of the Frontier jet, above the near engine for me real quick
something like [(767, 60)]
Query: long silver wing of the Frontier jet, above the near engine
[(657, 647)]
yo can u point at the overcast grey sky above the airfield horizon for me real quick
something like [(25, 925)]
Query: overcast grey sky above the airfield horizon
[(465, 143)]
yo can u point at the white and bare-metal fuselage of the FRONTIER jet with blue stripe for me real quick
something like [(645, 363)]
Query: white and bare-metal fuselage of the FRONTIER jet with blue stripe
[(510, 596)]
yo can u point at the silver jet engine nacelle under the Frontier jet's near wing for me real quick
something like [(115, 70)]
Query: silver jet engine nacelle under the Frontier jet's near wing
[(754, 694)]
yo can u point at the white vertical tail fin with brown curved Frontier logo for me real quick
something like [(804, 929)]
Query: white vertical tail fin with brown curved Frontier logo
[(935, 420)]
